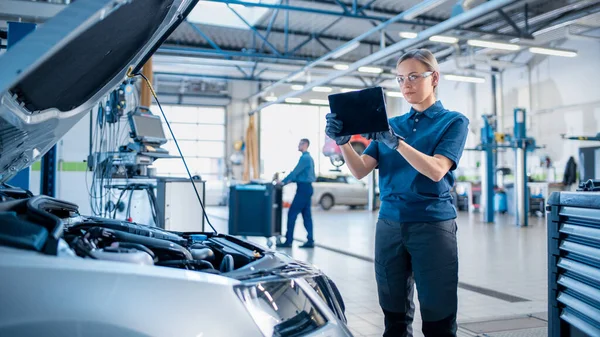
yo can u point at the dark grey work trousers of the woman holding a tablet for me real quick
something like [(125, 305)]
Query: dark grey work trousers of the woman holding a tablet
[(421, 253)]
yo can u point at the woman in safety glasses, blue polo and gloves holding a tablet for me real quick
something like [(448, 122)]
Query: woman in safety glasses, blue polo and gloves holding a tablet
[(415, 239)]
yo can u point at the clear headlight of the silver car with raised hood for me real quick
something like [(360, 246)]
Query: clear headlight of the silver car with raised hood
[(281, 308)]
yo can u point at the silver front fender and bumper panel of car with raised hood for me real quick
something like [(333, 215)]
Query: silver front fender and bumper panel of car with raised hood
[(64, 296)]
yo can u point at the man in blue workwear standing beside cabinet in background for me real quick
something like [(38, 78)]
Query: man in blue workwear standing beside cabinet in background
[(303, 175)]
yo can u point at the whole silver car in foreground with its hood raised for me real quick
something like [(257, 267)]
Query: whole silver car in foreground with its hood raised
[(67, 274)]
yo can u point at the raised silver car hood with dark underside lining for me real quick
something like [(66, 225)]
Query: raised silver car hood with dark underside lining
[(55, 75)]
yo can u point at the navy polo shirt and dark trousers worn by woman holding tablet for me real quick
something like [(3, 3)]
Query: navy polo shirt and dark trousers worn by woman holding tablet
[(416, 232)]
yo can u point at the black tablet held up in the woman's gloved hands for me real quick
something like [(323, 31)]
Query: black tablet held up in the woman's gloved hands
[(360, 111)]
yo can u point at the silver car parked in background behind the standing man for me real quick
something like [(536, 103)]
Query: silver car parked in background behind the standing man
[(334, 190)]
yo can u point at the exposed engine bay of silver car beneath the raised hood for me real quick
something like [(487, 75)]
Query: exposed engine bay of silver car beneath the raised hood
[(48, 225)]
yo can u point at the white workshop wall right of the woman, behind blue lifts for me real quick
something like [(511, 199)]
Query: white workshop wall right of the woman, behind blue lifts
[(560, 95)]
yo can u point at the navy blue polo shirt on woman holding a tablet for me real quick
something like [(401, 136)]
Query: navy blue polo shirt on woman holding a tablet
[(406, 195)]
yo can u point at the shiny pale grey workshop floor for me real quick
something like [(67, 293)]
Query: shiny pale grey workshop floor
[(502, 270)]
